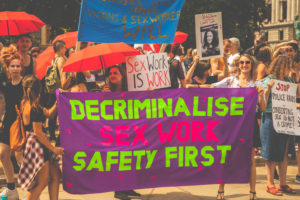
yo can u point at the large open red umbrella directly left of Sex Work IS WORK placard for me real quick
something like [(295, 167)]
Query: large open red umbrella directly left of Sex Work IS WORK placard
[(99, 57)]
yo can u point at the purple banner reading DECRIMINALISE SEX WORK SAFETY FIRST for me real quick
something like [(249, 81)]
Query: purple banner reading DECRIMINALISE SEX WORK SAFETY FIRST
[(119, 141)]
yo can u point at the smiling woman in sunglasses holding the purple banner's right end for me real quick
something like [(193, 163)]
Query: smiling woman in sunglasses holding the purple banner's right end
[(246, 78)]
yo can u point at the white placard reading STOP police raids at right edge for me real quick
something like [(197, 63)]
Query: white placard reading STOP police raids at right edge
[(284, 110)]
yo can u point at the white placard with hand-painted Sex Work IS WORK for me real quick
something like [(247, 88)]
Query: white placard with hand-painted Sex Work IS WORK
[(145, 71)]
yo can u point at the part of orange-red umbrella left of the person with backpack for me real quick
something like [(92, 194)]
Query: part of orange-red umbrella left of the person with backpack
[(43, 61)]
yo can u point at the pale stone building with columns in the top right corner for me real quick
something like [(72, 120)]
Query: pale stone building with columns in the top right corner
[(280, 25)]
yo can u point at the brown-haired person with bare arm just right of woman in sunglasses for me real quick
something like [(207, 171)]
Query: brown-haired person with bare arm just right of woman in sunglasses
[(264, 56)]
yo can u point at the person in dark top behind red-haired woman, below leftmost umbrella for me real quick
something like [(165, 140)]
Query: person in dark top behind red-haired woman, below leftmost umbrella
[(24, 44)]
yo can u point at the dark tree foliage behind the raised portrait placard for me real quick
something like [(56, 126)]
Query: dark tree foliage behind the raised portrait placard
[(241, 18)]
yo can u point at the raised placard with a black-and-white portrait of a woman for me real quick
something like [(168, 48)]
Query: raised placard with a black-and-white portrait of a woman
[(209, 35)]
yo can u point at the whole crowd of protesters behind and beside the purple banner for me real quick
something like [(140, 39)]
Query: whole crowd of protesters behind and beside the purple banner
[(257, 67)]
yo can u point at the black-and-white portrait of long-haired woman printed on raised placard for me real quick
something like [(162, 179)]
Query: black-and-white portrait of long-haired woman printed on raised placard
[(210, 44)]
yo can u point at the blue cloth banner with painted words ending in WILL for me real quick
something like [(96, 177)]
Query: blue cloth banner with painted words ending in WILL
[(129, 21)]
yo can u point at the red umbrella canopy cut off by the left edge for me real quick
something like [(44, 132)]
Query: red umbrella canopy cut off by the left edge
[(18, 23)]
